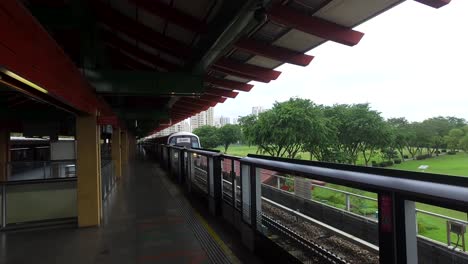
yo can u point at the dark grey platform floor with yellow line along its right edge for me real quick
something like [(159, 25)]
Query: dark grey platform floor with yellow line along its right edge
[(147, 219)]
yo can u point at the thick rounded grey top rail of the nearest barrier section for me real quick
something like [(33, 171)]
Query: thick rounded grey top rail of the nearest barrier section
[(450, 196)]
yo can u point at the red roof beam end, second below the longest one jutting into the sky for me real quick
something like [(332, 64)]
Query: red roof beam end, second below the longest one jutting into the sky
[(246, 70)]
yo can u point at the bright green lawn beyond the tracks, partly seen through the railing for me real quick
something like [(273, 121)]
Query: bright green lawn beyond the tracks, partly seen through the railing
[(429, 226)]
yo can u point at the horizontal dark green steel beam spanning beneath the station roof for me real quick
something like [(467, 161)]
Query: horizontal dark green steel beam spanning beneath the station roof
[(146, 83)]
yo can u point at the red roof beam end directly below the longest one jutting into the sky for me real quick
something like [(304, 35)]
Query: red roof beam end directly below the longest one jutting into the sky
[(272, 52)]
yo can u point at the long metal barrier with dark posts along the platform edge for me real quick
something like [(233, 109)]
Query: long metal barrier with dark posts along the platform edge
[(395, 235)]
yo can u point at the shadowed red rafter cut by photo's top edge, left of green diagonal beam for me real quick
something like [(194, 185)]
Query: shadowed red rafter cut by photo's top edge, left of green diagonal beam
[(172, 14)]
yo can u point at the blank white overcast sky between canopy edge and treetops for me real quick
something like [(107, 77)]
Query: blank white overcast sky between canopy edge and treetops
[(412, 62)]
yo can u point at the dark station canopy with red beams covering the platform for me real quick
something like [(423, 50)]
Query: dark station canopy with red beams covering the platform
[(147, 64)]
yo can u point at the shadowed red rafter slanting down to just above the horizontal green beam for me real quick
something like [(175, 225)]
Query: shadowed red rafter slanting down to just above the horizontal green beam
[(139, 53)]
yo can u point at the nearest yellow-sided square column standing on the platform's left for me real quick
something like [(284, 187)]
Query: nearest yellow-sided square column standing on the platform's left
[(88, 169)]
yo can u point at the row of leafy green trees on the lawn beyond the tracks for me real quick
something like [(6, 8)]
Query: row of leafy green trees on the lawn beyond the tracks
[(340, 133)]
